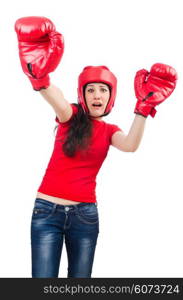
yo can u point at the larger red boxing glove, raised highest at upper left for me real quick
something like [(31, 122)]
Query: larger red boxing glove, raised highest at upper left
[(40, 49)]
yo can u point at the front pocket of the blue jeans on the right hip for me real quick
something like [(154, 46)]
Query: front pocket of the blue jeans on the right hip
[(88, 214)]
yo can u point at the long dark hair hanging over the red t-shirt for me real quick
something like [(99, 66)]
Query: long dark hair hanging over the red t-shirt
[(79, 132)]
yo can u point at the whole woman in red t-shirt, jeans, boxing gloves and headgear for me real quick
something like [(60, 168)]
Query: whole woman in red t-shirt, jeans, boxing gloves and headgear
[(66, 204)]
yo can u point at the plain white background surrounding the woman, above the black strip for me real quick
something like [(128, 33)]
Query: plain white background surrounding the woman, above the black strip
[(139, 194)]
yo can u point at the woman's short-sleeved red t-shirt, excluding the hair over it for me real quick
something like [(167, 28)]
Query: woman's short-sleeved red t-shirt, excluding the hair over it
[(74, 178)]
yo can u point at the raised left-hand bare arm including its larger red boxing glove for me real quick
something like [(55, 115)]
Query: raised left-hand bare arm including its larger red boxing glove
[(40, 50)]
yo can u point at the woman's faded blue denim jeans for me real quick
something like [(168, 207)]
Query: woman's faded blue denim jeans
[(52, 223)]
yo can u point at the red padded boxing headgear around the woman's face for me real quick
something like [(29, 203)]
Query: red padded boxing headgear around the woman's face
[(97, 74)]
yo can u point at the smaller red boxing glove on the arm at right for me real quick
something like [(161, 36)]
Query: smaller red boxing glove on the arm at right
[(152, 88)]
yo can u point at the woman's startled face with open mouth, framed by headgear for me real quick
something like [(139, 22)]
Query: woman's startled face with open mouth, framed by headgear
[(97, 94)]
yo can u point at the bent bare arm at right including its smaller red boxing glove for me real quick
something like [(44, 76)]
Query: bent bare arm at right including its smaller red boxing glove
[(151, 89)]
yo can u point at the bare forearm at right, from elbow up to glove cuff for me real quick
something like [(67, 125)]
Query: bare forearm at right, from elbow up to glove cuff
[(133, 138)]
